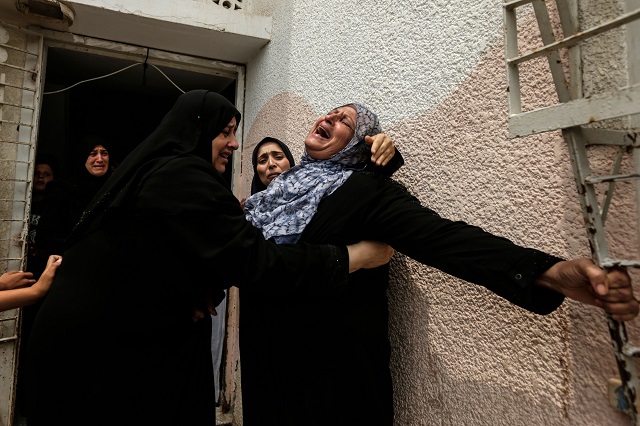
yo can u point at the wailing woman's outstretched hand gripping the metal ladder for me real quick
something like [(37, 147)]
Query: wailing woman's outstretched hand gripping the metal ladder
[(582, 280)]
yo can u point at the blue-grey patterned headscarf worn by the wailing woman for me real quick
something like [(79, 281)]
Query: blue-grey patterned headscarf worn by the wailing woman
[(286, 207)]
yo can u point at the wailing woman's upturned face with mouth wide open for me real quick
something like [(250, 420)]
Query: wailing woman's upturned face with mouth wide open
[(331, 133)]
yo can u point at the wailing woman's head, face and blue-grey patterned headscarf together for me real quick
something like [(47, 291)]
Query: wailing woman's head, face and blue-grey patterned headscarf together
[(285, 208)]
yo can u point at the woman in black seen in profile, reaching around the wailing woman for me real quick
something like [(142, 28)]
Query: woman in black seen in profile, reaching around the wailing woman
[(114, 341)]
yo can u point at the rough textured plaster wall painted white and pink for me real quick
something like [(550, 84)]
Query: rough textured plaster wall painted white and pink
[(434, 72)]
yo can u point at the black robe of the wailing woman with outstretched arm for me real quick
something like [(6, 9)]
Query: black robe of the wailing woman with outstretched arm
[(325, 360)]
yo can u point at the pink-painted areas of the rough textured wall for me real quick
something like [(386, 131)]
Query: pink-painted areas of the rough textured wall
[(461, 355)]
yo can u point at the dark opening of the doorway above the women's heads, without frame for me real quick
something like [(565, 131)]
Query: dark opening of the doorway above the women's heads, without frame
[(119, 99)]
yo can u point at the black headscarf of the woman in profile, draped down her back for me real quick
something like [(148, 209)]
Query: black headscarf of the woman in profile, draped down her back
[(193, 122)]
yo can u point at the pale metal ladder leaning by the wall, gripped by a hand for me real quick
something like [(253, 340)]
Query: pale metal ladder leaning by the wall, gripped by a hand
[(574, 115)]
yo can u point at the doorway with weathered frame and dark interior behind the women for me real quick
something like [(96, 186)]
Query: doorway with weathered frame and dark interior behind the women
[(121, 93)]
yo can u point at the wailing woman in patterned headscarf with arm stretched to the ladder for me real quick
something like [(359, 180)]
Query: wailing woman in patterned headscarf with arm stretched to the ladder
[(326, 356)]
